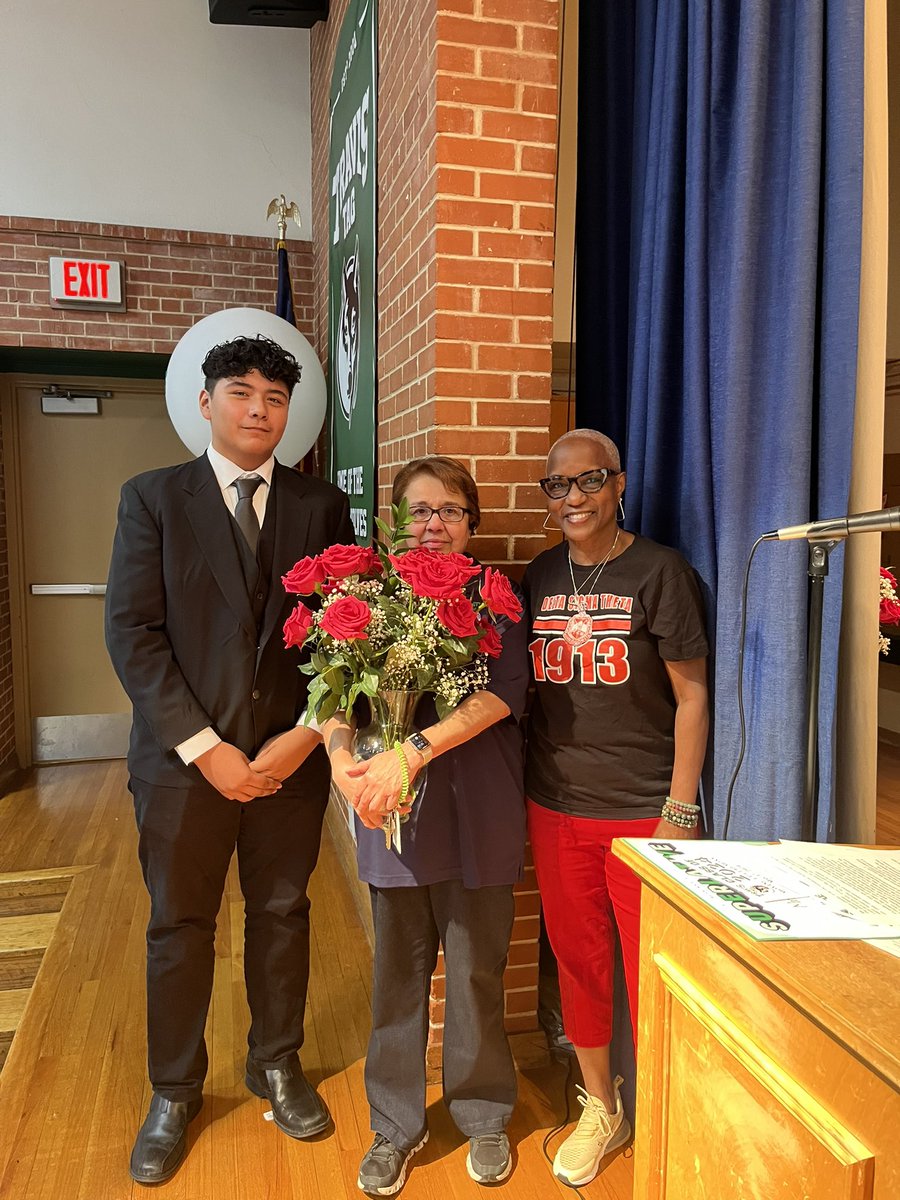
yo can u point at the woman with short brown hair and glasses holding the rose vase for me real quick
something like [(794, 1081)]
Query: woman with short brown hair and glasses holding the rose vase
[(451, 885)]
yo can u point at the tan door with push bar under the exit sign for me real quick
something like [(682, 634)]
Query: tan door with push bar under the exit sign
[(68, 472)]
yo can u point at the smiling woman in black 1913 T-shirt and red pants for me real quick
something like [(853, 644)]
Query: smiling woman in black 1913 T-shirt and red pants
[(616, 745)]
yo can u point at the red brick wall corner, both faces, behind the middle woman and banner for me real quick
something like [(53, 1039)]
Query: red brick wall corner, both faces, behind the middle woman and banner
[(467, 103)]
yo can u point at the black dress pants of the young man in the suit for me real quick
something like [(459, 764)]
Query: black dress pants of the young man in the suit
[(188, 838)]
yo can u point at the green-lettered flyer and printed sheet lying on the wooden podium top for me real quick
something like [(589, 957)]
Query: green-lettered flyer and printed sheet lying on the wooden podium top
[(787, 891)]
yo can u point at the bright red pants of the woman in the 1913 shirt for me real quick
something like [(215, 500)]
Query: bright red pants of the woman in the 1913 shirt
[(584, 891)]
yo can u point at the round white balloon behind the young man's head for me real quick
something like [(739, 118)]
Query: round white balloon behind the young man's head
[(184, 380)]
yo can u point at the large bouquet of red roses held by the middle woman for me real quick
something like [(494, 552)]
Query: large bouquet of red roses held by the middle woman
[(397, 620)]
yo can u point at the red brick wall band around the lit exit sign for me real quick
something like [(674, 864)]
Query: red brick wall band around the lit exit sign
[(172, 279)]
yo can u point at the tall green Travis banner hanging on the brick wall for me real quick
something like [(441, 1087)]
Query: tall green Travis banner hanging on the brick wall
[(352, 266)]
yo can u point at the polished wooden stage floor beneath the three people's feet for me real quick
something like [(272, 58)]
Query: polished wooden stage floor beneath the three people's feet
[(74, 1090)]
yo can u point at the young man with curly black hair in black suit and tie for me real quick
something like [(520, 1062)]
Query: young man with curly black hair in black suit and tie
[(218, 761)]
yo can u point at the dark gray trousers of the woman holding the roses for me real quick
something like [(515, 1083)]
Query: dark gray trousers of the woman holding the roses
[(479, 1077)]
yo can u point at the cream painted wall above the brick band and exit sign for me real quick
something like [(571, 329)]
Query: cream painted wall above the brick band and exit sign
[(141, 112)]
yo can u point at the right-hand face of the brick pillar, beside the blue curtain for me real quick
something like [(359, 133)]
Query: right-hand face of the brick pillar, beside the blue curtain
[(496, 151)]
